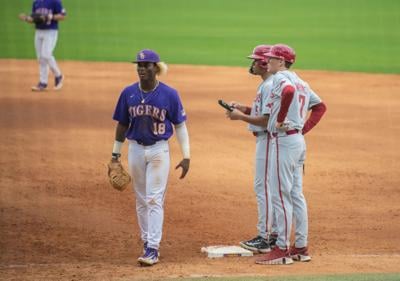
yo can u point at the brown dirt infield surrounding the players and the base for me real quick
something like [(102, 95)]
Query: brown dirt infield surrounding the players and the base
[(60, 220)]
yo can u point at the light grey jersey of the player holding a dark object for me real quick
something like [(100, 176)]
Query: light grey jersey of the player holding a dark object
[(260, 103)]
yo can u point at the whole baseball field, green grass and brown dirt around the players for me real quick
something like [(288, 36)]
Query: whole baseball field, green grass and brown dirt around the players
[(61, 220)]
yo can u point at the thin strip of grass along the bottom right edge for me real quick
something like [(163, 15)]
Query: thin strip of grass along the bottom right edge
[(338, 277)]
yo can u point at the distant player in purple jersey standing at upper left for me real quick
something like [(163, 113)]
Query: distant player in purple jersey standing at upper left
[(51, 11)]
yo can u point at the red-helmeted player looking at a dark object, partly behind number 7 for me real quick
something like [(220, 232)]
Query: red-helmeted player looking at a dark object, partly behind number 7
[(257, 117)]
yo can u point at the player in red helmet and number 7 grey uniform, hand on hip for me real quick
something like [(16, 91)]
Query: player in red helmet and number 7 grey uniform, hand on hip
[(290, 100)]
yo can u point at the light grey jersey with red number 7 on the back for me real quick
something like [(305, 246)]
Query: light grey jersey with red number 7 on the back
[(304, 98)]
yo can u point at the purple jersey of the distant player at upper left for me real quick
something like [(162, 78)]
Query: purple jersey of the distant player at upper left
[(46, 7)]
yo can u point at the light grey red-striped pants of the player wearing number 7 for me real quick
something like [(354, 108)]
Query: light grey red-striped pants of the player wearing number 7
[(287, 159)]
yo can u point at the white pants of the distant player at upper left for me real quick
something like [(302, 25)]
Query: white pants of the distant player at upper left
[(45, 42)]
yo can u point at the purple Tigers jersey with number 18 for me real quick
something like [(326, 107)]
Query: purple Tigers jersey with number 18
[(149, 116)]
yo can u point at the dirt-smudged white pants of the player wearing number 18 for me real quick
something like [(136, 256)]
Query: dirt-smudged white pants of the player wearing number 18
[(149, 167)]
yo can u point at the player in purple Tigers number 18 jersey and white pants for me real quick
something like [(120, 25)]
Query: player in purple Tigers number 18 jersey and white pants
[(147, 112)]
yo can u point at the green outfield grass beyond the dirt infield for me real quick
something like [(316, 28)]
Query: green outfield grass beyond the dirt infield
[(356, 35)]
